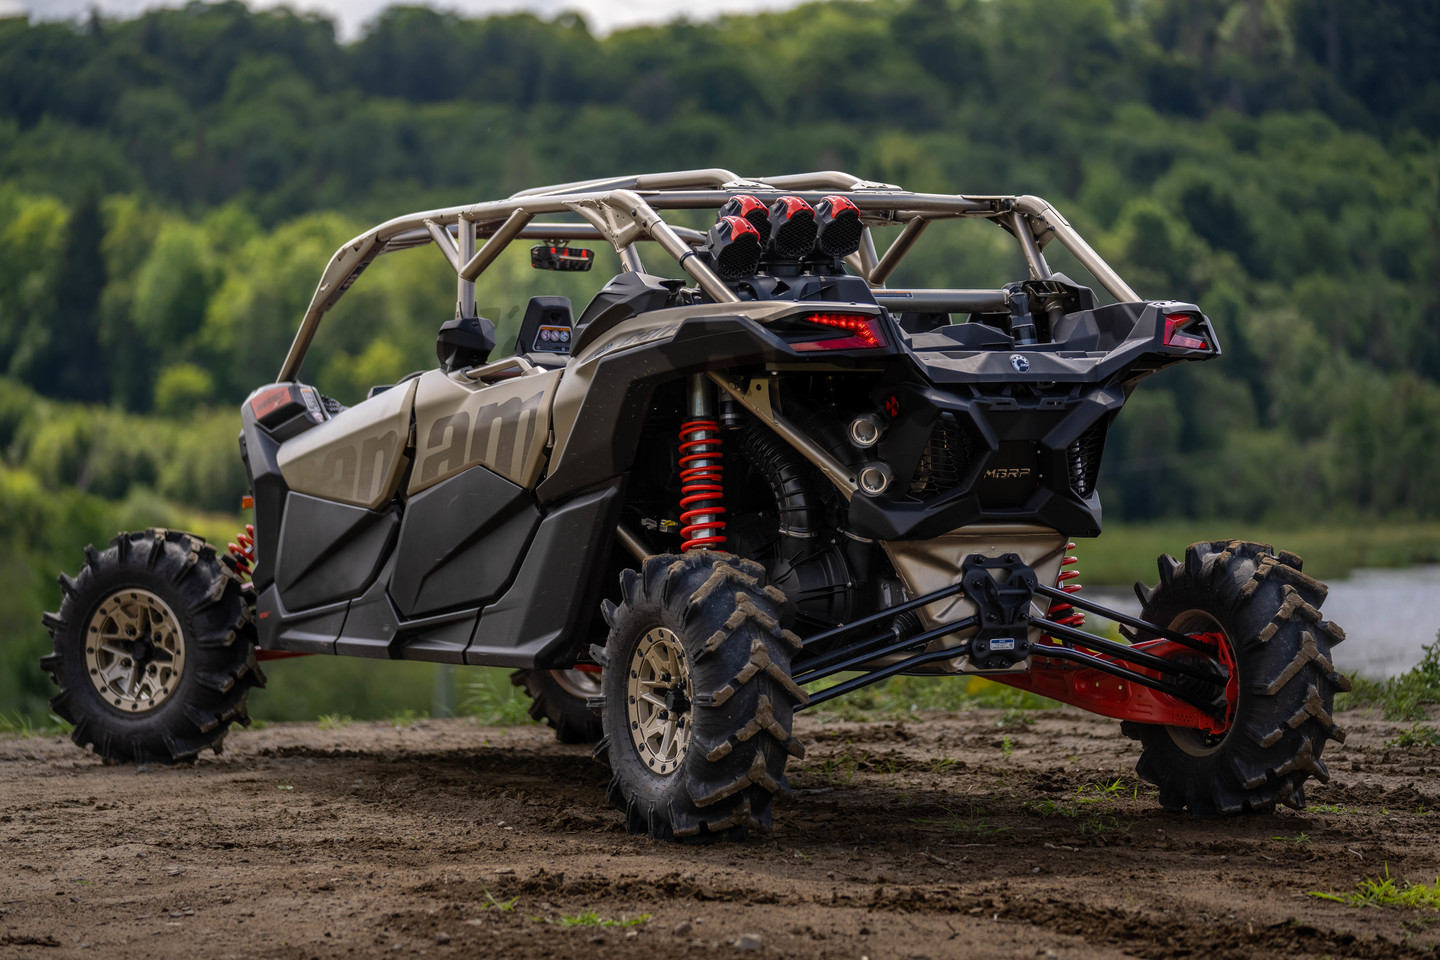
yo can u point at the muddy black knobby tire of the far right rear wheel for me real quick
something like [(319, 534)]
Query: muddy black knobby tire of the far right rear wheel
[(1269, 611)]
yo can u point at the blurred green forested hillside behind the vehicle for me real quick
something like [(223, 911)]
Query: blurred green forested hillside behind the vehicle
[(172, 186)]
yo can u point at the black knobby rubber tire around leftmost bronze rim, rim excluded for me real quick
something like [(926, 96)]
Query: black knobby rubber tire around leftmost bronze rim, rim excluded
[(217, 633)]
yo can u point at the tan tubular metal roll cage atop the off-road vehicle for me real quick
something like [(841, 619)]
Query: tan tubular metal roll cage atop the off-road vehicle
[(624, 211)]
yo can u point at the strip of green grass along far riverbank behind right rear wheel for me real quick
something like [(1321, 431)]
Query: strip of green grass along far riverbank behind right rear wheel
[(1127, 553)]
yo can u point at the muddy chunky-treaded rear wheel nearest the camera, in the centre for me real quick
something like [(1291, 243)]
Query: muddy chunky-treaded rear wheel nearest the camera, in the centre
[(737, 660)]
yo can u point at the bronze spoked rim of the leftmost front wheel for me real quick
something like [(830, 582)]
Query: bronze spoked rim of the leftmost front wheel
[(135, 651)]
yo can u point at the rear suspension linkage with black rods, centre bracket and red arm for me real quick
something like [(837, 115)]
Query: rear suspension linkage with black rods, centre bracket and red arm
[(1170, 680)]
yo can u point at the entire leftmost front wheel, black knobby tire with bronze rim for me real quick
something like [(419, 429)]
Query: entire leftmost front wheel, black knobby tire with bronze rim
[(153, 650)]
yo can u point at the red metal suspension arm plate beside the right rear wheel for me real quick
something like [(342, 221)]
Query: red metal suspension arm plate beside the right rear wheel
[(1121, 699)]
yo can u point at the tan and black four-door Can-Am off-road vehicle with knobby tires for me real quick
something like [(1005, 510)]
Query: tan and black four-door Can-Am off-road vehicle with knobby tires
[(690, 509)]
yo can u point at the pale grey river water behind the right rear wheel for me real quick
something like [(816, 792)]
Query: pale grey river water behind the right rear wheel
[(1387, 617)]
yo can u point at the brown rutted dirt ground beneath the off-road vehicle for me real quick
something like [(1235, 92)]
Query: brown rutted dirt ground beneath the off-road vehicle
[(950, 837)]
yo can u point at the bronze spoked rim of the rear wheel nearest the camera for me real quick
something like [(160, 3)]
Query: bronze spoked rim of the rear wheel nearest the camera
[(659, 700)]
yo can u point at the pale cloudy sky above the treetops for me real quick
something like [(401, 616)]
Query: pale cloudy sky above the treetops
[(351, 15)]
